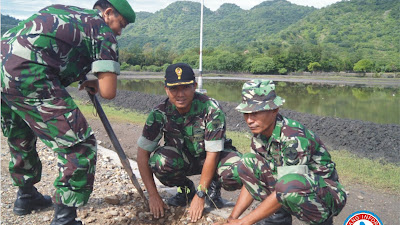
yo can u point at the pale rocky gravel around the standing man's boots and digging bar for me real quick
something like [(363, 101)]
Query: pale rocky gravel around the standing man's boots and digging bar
[(113, 201)]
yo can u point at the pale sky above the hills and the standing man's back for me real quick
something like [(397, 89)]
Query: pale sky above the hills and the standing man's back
[(22, 9)]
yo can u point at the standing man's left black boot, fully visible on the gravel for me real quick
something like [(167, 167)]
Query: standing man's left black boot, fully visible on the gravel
[(28, 199)]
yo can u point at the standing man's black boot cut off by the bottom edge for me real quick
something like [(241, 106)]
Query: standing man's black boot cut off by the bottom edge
[(64, 215)]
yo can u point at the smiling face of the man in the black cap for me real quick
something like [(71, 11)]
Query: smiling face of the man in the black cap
[(181, 96)]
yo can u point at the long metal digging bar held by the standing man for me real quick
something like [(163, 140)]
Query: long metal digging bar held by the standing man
[(117, 146)]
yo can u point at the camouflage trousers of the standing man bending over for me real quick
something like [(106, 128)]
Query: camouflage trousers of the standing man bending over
[(61, 126)]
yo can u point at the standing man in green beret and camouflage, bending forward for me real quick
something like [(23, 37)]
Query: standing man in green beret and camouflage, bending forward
[(40, 57)]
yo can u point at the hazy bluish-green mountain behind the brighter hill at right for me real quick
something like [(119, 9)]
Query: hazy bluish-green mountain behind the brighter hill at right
[(178, 25)]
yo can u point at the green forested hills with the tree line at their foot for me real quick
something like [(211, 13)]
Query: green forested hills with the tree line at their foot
[(272, 37)]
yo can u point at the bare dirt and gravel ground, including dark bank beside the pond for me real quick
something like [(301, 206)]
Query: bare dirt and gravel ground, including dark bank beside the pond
[(112, 185)]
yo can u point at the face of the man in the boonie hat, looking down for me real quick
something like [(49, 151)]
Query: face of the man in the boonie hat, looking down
[(262, 122)]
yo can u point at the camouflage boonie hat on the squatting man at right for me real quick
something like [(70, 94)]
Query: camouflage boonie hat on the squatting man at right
[(259, 95)]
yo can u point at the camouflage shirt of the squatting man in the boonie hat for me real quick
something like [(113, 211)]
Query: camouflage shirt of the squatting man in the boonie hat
[(292, 145)]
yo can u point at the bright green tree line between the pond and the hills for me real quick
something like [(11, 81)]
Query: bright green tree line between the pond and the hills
[(299, 57)]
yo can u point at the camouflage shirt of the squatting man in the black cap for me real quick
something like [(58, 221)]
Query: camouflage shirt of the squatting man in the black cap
[(201, 129)]
